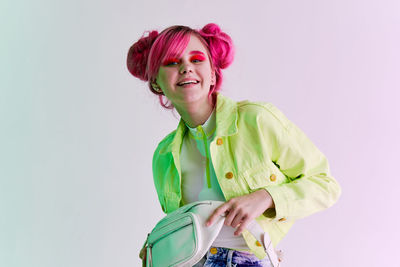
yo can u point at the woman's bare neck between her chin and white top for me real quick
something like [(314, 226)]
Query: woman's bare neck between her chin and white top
[(197, 114)]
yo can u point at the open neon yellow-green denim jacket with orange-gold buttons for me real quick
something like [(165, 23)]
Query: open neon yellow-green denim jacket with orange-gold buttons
[(255, 147)]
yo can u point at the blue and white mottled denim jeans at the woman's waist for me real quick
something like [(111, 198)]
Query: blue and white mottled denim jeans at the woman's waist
[(221, 257)]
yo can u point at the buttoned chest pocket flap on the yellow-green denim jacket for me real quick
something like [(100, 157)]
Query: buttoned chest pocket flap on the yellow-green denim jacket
[(263, 175)]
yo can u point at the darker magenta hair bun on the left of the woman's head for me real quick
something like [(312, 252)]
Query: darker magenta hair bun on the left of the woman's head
[(138, 54)]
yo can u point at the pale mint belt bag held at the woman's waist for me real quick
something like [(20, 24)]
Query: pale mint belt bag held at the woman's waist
[(181, 238)]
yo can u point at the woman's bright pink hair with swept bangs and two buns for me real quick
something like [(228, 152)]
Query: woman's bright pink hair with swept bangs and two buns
[(145, 56)]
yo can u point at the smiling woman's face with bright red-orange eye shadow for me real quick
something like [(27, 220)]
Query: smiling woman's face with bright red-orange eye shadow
[(186, 80)]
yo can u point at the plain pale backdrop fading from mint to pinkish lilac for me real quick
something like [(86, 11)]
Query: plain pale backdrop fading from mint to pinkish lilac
[(77, 132)]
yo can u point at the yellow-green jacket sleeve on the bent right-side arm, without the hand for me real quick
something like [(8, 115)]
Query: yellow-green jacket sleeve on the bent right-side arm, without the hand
[(309, 187)]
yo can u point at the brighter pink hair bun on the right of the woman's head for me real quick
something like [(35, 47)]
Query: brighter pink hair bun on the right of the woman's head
[(220, 45)]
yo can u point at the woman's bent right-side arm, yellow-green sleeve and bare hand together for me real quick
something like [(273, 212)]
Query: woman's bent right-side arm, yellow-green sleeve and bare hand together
[(309, 186)]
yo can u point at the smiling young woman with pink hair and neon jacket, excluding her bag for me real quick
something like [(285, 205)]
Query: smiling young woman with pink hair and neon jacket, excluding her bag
[(247, 154)]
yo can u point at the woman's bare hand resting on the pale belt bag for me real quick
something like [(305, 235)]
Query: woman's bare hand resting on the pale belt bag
[(240, 211)]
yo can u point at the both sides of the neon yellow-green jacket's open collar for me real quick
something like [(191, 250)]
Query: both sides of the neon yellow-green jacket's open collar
[(226, 124)]
